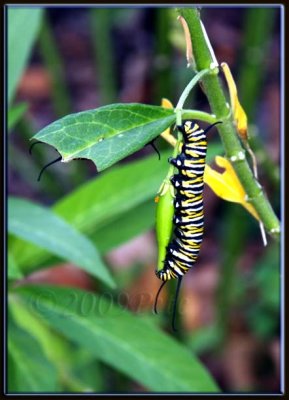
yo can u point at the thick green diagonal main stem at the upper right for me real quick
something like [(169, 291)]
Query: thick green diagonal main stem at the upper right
[(233, 149)]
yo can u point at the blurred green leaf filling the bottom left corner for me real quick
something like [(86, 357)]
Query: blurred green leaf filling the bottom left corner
[(28, 368)]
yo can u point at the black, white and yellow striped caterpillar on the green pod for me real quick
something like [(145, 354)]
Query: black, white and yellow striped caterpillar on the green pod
[(182, 251)]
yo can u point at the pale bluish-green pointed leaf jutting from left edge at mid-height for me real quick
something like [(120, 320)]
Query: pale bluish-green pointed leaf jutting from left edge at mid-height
[(42, 227)]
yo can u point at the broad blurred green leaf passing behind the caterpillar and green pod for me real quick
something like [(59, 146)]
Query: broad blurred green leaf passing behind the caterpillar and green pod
[(112, 208)]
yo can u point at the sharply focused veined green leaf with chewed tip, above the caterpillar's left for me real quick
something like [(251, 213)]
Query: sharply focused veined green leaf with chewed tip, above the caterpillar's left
[(107, 134)]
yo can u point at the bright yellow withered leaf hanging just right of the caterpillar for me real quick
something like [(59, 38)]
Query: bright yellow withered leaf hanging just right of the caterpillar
[(227, 185)]
